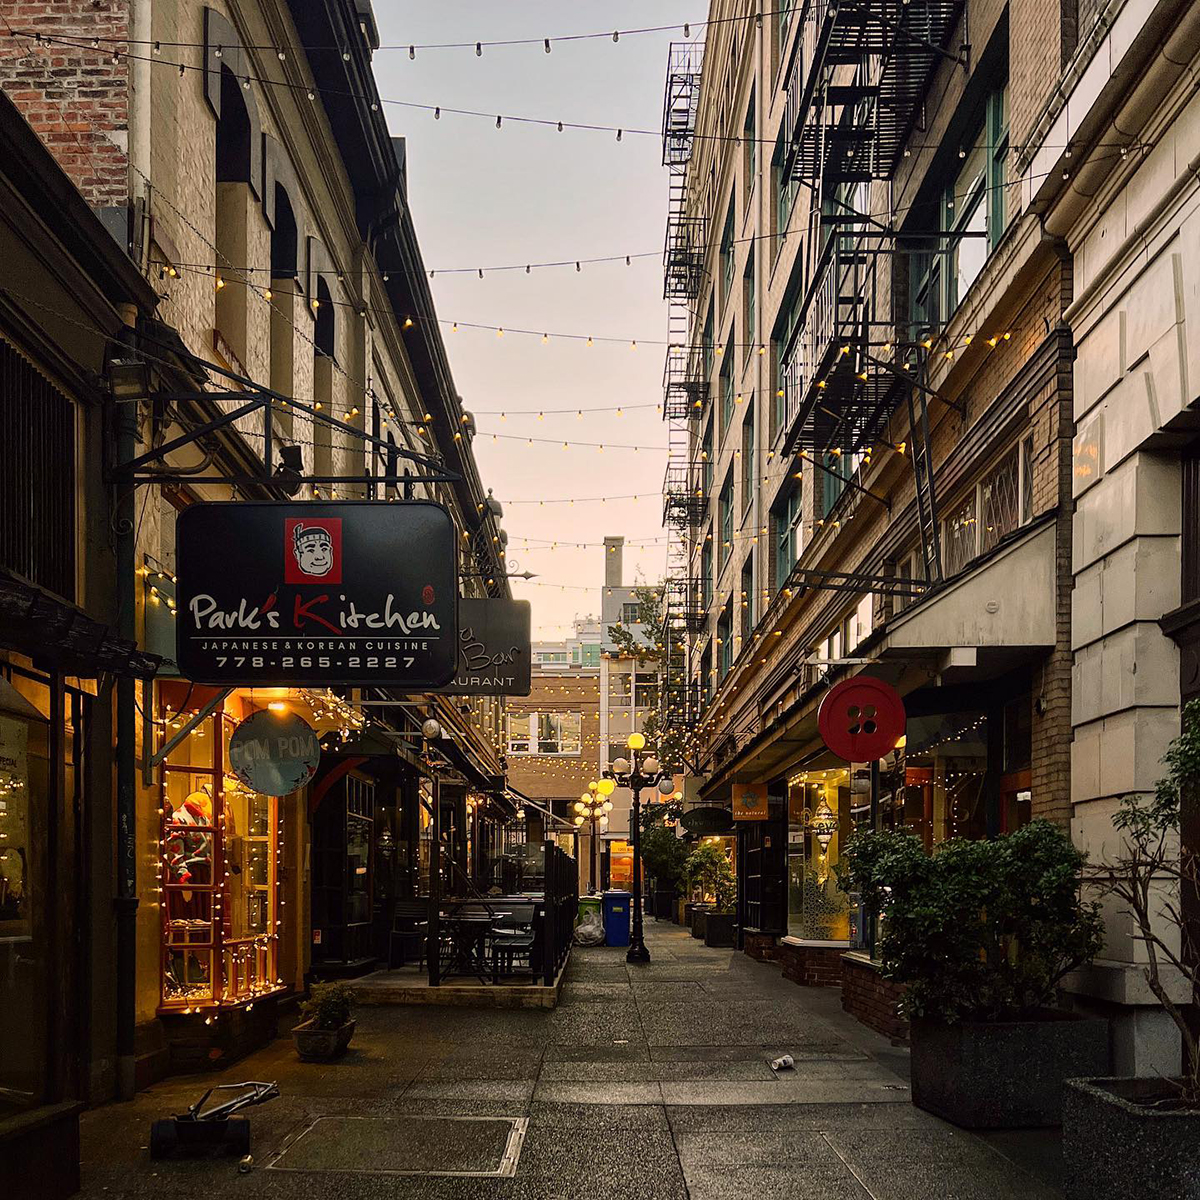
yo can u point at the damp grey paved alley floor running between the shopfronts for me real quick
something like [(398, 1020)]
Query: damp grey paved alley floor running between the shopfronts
[(647, 1082)]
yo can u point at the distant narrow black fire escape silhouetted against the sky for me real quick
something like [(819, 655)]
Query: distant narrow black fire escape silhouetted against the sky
[(685, 388)]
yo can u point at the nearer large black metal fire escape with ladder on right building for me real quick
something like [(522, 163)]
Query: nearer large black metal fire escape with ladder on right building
[(859, 75)]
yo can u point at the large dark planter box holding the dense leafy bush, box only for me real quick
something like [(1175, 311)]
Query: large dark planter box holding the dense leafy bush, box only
[(1004, 1075)]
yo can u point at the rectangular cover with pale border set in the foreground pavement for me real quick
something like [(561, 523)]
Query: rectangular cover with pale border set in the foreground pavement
[(407, 1147)]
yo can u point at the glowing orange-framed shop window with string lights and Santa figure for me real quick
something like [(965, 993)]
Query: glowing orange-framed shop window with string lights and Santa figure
[(220, 875)]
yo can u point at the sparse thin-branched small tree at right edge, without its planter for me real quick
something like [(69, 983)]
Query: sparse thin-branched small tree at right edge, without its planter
[(1159, 881)]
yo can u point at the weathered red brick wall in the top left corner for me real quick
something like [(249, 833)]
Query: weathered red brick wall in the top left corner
[(74, 97)]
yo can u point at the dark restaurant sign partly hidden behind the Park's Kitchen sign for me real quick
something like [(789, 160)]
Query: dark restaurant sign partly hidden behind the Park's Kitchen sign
[(494, 650)]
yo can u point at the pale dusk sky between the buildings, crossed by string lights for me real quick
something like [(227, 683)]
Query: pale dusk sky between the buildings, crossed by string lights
[(488, 197)]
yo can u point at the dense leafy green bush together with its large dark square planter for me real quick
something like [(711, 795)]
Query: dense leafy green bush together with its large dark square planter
[(981, 934)]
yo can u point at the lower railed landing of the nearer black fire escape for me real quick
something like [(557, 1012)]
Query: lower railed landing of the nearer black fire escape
[(836, 395)]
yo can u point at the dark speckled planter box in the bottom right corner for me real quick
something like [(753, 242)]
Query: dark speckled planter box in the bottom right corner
[(1115, 1149)]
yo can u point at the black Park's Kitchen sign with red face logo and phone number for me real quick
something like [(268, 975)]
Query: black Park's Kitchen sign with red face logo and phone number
[(351, 593)]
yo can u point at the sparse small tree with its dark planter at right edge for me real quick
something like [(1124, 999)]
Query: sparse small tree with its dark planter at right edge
[(1131, 1137)]
